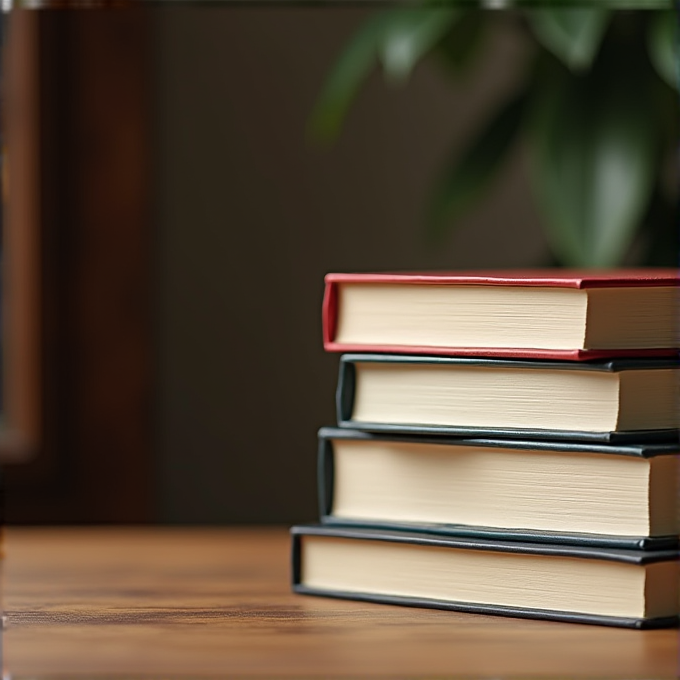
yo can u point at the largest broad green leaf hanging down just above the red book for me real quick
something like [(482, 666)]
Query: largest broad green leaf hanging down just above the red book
[(594, 169)]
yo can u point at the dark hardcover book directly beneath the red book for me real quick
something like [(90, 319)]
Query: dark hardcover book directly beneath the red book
[(616, 400)]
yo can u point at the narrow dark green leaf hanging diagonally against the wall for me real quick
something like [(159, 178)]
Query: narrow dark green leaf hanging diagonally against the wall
[(465, 178)]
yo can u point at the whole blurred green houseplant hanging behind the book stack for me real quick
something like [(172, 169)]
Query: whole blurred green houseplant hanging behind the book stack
[(597, 105)]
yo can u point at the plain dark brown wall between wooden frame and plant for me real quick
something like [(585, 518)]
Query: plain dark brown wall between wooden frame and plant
[(251, 216)]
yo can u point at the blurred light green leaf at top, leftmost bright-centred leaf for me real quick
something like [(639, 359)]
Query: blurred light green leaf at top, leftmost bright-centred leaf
[(410, 35)]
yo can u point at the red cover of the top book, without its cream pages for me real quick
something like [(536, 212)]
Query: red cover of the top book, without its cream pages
[(559, 278)]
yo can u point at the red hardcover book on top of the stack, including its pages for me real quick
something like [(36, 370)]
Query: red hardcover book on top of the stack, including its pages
[(541, 314)]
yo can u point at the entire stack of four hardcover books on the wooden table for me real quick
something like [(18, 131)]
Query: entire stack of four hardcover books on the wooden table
[(506, 444)]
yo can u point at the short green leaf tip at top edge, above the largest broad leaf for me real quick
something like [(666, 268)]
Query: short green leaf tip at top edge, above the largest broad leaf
[(573, 35)]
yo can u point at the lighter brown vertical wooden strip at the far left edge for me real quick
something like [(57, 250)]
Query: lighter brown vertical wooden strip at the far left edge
[(21, 299)]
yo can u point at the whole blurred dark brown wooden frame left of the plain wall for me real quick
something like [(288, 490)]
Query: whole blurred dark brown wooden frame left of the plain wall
[(78, 281)]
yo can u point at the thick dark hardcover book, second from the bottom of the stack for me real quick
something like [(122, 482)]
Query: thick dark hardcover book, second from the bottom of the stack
[(537, 491)]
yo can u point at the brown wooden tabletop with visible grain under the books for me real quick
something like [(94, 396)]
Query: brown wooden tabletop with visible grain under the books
[(187, 602)]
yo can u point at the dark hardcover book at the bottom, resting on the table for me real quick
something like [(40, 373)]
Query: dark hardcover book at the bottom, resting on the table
[(617, 587)]
